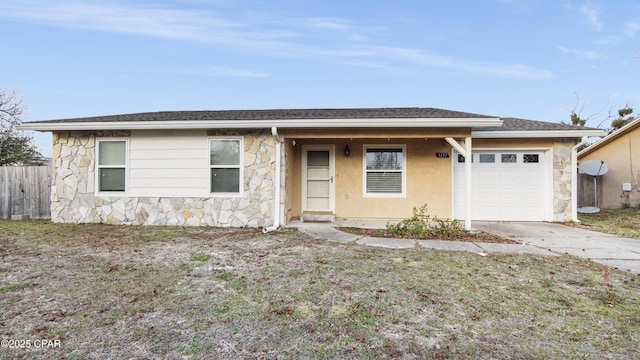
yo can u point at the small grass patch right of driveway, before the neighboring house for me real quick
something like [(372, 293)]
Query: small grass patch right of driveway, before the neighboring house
[(621, 222)]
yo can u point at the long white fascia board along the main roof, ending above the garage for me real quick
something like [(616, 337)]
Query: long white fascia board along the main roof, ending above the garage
[(258, 124)]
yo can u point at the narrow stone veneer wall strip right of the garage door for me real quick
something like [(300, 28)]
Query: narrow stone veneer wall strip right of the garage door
[(562, 169)]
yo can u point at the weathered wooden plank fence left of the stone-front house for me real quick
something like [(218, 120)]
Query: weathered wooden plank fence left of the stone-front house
[(25, 190)]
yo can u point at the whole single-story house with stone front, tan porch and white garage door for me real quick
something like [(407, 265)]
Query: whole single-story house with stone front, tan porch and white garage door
[(264, 168)]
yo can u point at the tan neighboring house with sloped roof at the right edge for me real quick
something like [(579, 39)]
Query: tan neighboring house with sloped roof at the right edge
[(620, 150)]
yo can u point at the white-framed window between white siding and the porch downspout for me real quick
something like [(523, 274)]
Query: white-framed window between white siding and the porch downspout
[(226, 174)]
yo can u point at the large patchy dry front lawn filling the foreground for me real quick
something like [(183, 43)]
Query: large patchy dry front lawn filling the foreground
[(188, 293)]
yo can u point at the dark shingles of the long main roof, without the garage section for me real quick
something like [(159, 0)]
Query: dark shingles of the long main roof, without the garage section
[(280, 114)]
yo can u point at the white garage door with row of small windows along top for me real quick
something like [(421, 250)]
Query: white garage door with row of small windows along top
[(506, 185)]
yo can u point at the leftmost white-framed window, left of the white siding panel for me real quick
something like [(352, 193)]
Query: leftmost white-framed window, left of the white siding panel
[(112, 165)]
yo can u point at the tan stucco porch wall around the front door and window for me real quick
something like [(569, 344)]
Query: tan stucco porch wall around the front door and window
[(428, 179)]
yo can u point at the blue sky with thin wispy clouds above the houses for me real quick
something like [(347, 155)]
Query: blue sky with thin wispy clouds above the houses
[(510, 58)]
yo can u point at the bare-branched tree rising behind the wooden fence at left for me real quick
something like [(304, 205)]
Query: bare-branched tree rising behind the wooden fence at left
[(16, 147)]
